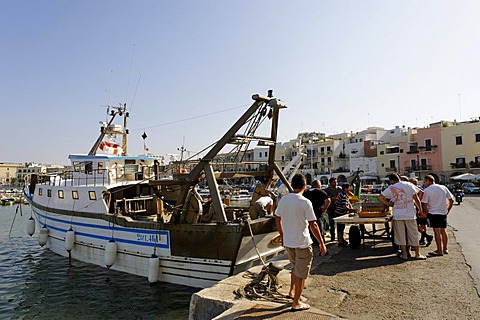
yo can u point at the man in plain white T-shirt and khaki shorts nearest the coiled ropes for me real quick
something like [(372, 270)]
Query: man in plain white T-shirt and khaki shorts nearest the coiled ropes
[(294, 216)]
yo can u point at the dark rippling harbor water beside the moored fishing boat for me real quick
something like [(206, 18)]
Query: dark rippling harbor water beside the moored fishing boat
[(38, 284)]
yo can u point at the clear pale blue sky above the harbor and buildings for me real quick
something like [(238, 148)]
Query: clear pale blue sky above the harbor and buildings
[(340, 66)]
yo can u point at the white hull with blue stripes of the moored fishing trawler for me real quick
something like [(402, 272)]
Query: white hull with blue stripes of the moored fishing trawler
[(136, 246)]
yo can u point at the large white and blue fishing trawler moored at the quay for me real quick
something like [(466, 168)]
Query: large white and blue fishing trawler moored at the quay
[(115, 210)]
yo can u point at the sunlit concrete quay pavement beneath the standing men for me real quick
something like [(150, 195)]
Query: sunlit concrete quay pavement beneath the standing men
[(366, 283)]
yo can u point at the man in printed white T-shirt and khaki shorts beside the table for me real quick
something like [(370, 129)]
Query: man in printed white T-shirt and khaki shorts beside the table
[(402, 196)]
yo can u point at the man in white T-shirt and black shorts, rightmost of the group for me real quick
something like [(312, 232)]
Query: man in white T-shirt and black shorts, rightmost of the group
[(437, 201)]
